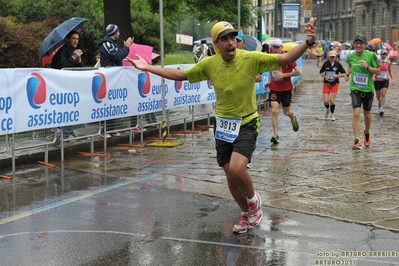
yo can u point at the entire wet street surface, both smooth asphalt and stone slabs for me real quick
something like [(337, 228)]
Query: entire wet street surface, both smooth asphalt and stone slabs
[(323, 202)]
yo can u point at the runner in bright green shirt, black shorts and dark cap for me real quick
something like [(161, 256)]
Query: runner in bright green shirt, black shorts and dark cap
[(363, 65)]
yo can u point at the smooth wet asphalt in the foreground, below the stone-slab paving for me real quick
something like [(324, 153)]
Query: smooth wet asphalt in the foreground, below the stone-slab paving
[(122, 221)]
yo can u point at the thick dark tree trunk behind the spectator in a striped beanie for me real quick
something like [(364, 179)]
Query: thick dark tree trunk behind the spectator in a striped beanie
[(118, 12)]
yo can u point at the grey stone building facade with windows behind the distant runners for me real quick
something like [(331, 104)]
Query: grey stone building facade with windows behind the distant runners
[(339, 20)]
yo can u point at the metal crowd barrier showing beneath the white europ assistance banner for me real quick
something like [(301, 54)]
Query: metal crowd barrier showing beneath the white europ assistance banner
[(42, 140)]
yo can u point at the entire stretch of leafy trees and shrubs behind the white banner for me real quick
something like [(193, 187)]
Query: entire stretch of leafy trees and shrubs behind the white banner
[(25, 23)]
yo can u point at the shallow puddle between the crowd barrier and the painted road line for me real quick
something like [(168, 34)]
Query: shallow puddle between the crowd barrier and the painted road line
[(36, 186)]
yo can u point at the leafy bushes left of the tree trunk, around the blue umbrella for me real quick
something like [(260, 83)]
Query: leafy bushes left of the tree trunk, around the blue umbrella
[(35, 19)]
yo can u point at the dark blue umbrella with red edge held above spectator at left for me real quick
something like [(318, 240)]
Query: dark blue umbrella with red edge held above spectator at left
[(56, 39)]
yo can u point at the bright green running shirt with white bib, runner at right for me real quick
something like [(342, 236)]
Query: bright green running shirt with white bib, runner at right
[(361, 79)]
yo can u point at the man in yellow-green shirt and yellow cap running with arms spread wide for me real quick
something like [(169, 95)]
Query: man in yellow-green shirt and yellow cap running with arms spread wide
[(232, 72)]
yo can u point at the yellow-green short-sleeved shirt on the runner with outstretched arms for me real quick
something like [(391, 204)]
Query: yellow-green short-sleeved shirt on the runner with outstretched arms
[(234, 82)]
